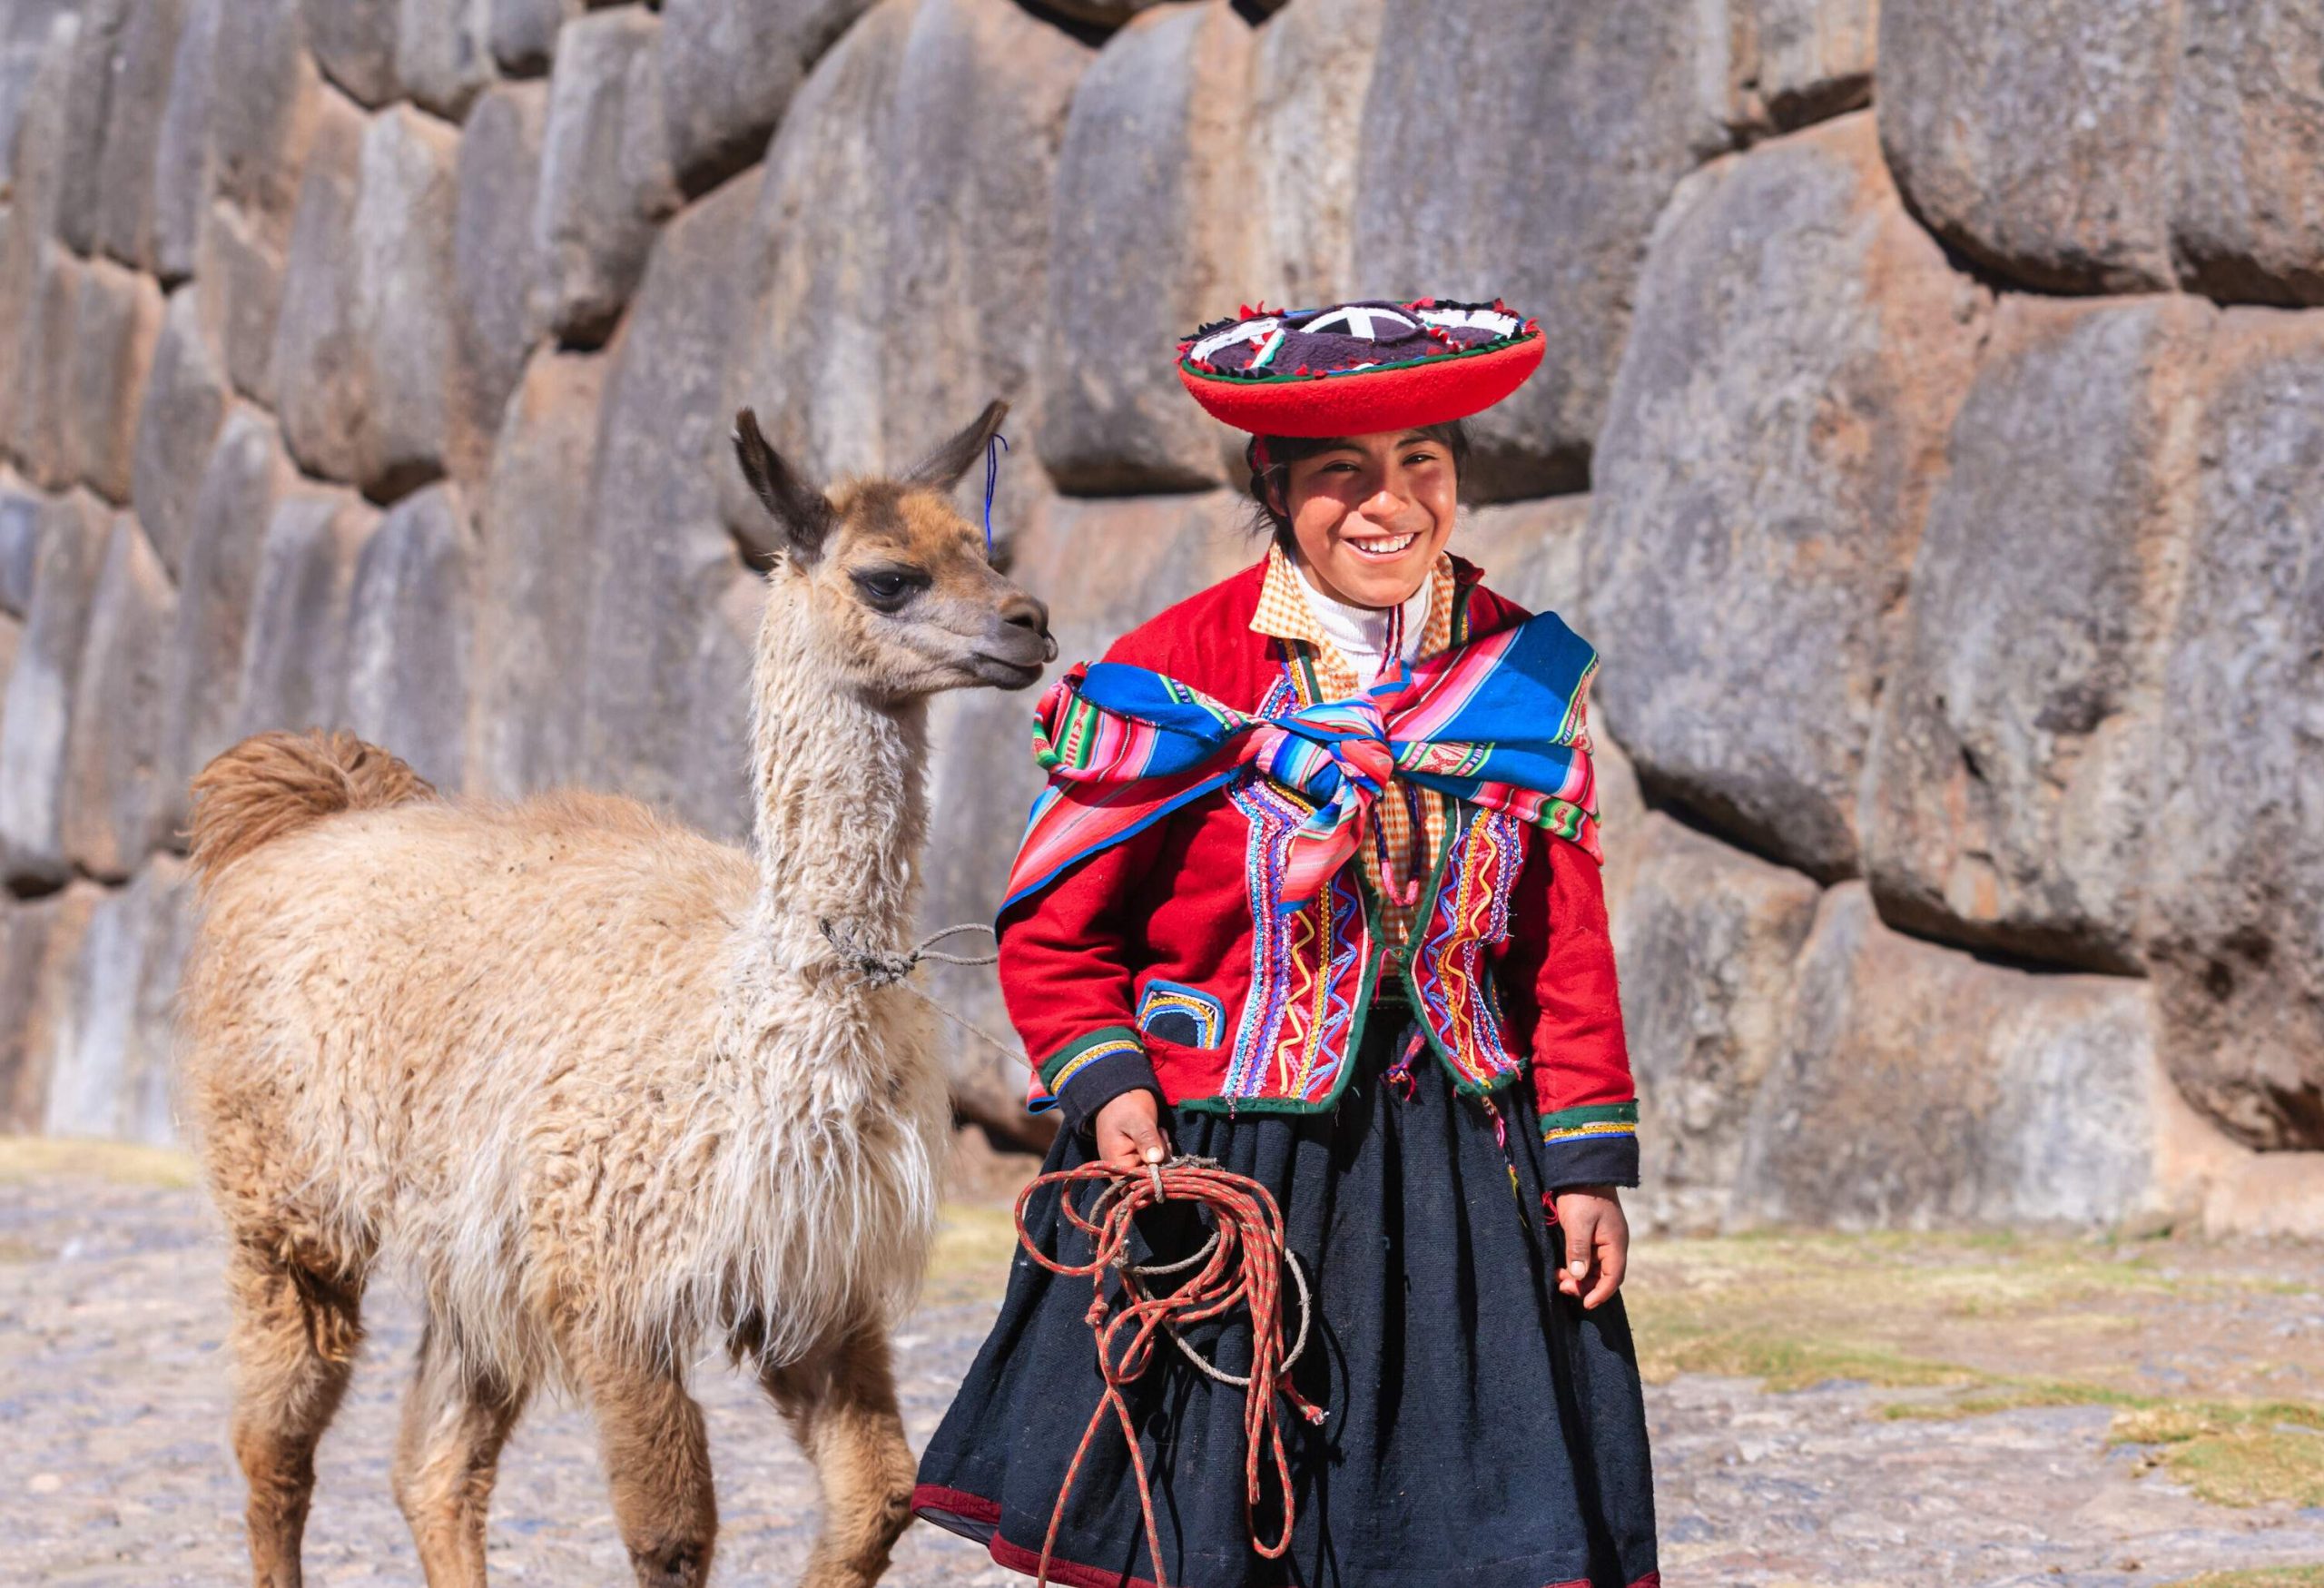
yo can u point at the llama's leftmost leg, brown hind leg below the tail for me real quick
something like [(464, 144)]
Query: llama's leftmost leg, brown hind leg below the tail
[(294, 1338)]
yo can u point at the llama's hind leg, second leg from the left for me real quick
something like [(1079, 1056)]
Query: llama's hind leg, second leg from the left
[(447, 1459)]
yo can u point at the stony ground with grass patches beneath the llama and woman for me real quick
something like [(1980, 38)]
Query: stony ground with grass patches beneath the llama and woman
[(113, 1392)]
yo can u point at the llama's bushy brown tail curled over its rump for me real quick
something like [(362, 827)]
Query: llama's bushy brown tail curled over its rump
[(278, 782)]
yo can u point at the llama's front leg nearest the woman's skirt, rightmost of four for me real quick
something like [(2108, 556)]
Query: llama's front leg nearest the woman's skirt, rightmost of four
[(842, 1408)]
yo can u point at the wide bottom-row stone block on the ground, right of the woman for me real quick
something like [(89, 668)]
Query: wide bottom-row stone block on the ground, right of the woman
[(1918, 1087)]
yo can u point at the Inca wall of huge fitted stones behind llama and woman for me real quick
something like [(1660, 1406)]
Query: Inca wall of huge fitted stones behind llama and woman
[(1932, 438)]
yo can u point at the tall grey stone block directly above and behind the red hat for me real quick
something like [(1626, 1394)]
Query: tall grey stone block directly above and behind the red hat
[(1575, 124)]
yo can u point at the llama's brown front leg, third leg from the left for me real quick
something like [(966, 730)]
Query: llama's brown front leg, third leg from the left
[(659, 1464)]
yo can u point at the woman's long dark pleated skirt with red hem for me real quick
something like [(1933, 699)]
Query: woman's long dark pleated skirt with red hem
[(1482, 1429)]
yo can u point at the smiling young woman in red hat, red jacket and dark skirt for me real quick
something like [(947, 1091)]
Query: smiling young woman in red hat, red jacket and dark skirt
[(1389, 999)]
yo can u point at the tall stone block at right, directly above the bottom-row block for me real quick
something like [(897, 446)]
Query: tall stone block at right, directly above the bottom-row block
[(2016, 764)]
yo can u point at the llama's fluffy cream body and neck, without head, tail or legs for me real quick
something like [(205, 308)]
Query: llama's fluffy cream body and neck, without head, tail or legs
[(582, 1073)]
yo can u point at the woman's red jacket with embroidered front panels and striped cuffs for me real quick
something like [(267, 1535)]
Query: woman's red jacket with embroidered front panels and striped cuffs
[(1142, 966)]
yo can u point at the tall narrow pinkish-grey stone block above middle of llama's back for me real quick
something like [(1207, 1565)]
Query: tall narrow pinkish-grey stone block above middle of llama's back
[(533, 594)]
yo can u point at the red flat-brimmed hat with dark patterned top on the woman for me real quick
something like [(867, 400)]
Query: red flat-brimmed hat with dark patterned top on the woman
[(1356, 369)]
